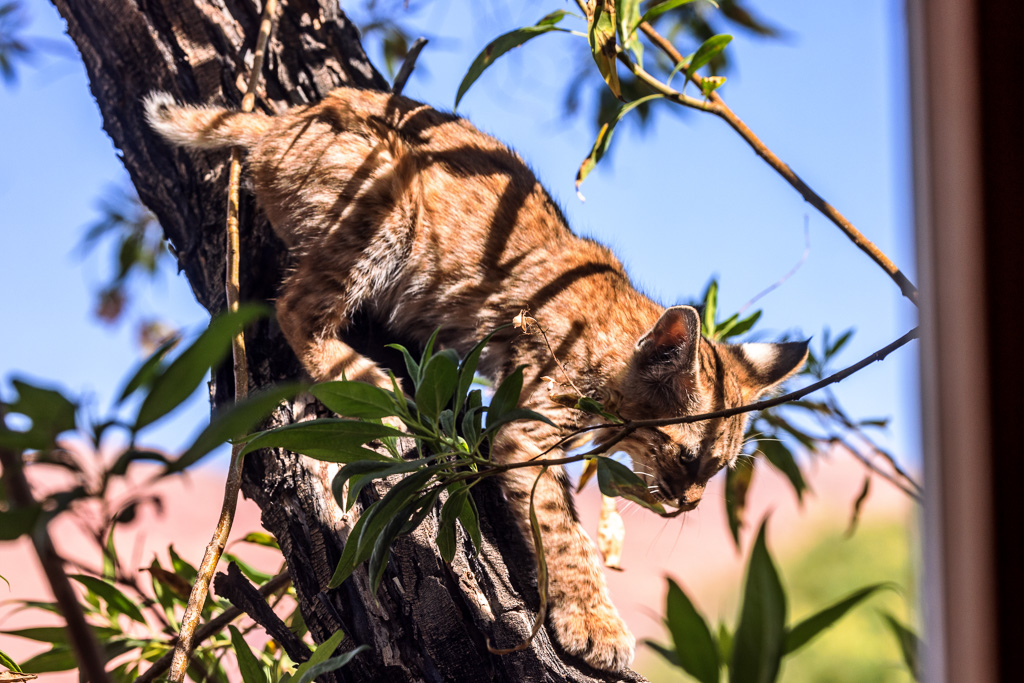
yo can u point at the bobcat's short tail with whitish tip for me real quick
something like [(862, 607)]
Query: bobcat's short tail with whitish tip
[(203, 127)]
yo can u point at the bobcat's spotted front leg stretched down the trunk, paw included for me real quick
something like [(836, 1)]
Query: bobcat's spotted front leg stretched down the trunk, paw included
[(581, 613)]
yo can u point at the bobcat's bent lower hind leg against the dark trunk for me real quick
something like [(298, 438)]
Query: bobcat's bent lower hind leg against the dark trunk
[(311, 311)]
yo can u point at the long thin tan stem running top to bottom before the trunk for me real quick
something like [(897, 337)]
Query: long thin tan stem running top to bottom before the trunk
[(190, 621)]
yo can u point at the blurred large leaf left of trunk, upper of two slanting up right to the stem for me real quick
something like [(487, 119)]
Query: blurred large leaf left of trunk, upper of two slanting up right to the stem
[(186, 373)]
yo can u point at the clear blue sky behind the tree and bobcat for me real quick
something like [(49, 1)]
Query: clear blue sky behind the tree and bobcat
[(679, 203)]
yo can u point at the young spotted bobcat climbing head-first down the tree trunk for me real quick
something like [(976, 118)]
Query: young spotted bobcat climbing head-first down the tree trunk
[(418, 219)]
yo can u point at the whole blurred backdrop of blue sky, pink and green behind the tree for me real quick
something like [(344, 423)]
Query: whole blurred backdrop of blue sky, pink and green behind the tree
[(90, 289)]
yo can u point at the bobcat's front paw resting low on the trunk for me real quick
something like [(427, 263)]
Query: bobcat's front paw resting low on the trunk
[(595, 633)]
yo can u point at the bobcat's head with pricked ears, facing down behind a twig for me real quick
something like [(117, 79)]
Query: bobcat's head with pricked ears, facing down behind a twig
[(674, 372)]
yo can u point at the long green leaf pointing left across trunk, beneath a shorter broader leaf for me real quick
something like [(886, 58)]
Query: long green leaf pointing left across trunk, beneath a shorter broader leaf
[(330, 440)]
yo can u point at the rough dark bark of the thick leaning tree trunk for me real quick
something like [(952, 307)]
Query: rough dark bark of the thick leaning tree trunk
[(433, 621)]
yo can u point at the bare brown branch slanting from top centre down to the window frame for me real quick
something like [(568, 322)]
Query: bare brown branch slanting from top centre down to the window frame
[(717, 106)]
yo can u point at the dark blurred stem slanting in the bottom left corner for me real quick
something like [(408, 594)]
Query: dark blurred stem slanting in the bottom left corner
[(83, 641)]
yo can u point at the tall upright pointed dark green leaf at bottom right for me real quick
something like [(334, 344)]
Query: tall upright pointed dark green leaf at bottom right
[(757, 647)]
